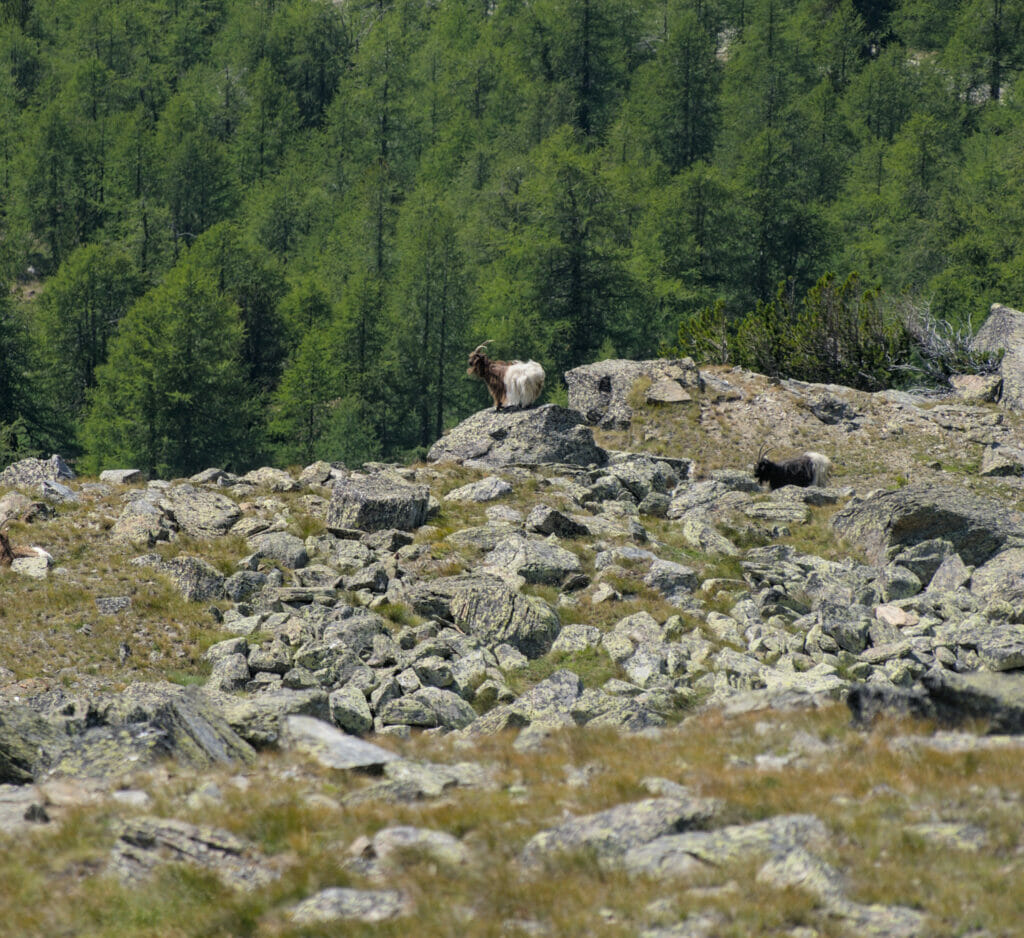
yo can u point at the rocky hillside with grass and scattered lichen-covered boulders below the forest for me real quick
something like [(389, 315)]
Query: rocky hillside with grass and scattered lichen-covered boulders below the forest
[(576, 675)]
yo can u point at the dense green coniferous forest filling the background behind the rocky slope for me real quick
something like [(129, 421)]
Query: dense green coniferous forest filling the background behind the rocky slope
[(248, 231)]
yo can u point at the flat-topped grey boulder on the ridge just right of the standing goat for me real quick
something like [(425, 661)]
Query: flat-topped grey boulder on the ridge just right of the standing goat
[(601, 392)]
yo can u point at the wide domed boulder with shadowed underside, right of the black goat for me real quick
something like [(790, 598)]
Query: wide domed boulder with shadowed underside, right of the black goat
[(885, 525)]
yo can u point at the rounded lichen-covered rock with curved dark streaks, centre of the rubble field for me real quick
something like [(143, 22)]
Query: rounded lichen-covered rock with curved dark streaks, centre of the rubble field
[(487, 609)]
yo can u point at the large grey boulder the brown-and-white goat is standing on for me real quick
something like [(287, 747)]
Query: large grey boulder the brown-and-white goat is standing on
[(533, 438)]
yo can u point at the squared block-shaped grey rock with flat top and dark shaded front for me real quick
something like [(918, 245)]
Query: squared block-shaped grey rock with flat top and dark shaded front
[(376, 503)]
